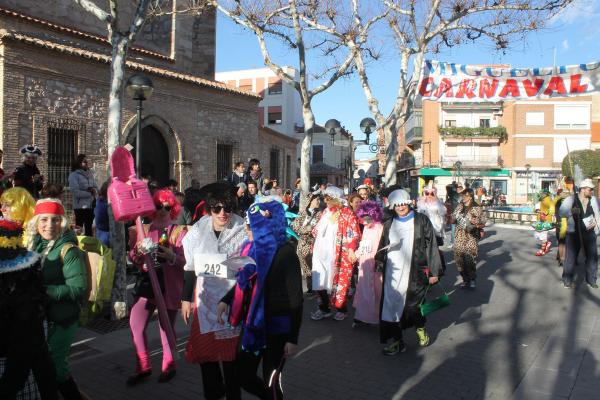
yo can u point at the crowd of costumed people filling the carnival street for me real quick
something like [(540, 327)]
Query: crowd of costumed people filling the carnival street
[(234, 257)]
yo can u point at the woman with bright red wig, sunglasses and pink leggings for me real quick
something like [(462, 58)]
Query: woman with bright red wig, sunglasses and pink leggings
[(169, 259)]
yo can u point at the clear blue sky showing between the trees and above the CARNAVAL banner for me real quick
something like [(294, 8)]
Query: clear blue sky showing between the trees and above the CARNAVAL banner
[(574, 34)]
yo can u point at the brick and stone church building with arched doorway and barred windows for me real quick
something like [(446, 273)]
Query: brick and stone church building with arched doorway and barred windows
[(54, 86)]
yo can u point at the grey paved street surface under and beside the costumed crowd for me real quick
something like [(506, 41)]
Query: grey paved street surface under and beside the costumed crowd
[(519, 335)]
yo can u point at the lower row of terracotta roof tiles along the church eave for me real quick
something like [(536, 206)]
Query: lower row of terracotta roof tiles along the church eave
[(75, 51)]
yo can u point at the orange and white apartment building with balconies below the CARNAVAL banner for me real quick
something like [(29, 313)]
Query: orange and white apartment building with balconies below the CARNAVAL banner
[(517, 147)]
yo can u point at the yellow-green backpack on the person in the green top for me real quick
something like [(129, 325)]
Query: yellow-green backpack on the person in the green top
[(100, 273)]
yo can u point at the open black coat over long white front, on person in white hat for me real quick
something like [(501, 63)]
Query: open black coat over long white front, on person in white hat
[(425, 256)]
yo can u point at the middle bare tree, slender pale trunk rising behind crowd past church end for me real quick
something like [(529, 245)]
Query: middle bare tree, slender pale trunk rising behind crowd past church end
[(293, 23)]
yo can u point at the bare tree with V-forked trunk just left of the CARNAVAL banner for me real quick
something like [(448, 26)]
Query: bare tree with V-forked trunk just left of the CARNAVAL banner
[(423, 28)]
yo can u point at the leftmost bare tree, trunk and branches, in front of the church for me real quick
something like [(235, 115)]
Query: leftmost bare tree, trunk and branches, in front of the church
[(120, 41)]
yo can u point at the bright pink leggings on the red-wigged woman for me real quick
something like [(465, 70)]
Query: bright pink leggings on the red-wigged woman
[(141, 312)]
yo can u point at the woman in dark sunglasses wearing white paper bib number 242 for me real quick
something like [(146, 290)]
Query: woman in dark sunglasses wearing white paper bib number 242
[(217, 236)]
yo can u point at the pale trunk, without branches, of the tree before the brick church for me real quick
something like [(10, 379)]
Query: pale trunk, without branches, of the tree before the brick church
[(117, 229)]
